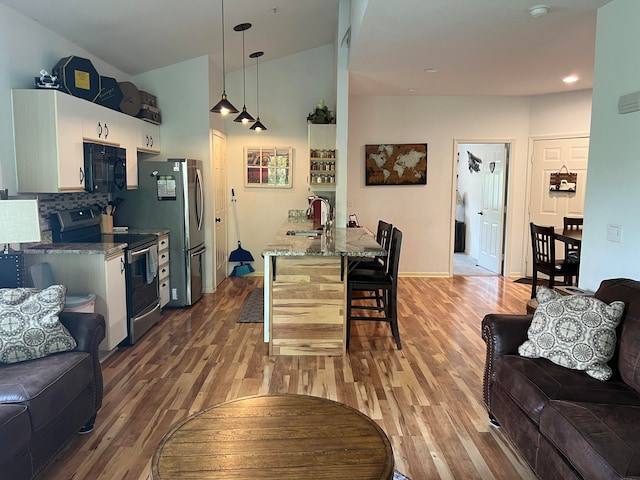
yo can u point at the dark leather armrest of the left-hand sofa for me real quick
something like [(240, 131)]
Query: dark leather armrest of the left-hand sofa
[(88, 329)]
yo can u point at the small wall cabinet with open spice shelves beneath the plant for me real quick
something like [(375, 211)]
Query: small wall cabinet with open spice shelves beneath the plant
[(322, 157)]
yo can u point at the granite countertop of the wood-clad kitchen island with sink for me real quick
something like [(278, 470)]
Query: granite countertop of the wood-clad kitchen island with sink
[(352, 242)]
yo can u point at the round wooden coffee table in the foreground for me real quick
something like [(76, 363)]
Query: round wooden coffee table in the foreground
[(275, 436)]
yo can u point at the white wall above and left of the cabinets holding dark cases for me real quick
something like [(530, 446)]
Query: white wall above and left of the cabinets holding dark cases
[(25, 49)]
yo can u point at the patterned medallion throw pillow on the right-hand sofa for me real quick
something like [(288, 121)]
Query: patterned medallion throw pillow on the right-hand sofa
[(574, 331)]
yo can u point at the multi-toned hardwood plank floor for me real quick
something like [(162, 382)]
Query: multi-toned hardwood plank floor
[(427, 397)]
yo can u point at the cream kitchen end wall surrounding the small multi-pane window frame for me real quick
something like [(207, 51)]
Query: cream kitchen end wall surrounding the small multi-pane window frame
[(289, 88)]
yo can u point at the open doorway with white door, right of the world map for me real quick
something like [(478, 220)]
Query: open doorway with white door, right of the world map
[(481, 179)]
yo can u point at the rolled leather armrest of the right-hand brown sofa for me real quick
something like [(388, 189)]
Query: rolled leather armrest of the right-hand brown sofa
[(503, 334)]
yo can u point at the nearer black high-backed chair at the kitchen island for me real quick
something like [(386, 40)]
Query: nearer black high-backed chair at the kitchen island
[(378, 285)]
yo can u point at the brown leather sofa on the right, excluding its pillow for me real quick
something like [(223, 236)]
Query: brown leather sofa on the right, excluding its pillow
[(566, 424)]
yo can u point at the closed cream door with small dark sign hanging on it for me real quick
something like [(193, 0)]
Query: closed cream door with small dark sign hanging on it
[(547, 207)]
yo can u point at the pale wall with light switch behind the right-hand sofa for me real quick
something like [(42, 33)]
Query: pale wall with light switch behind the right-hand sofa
[(612, 193)]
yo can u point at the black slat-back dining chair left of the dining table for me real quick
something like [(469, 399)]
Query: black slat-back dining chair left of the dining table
[(543, 242)]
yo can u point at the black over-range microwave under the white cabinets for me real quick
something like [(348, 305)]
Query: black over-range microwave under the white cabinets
[(105, 168)]
